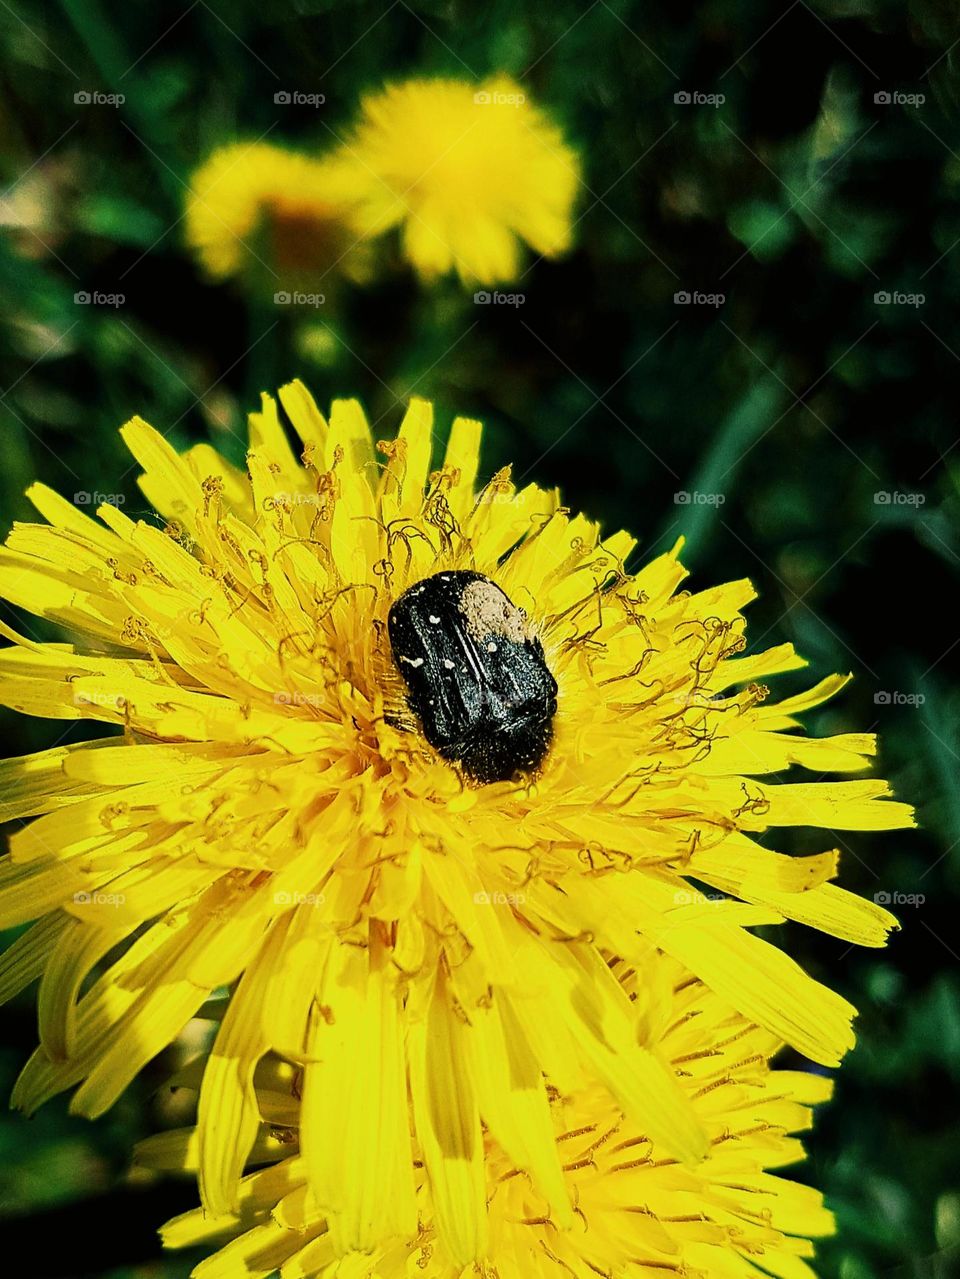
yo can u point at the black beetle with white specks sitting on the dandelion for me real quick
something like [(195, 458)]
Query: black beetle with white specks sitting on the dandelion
[(477, 681)]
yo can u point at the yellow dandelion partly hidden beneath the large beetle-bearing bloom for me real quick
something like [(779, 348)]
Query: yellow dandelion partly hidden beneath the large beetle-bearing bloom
[(622, 1204)]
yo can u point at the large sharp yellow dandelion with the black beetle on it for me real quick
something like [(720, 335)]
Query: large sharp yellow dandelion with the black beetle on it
[(277, 817)]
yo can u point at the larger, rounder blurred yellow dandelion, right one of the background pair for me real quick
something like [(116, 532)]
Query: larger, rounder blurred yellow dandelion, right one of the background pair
[(466, 172)]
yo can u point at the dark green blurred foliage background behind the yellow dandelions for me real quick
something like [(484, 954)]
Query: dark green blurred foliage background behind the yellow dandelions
[(797, 401)]
